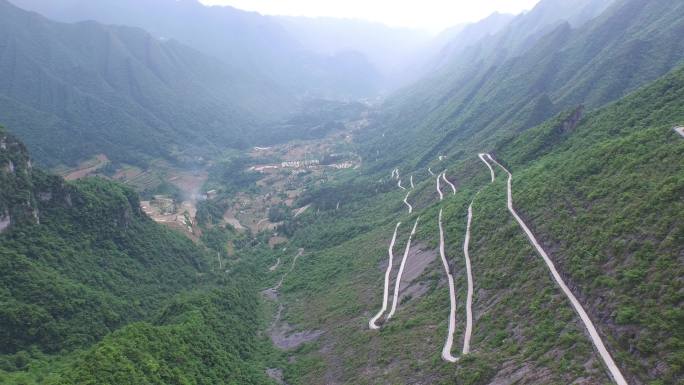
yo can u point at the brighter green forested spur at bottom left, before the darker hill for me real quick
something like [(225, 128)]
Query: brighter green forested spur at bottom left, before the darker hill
[(199, 338)]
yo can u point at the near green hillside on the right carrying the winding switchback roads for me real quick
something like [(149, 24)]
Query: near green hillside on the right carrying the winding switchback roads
[(602, 194)]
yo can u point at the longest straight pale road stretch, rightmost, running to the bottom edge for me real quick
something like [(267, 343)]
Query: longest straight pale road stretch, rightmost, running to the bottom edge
[(588, 324)]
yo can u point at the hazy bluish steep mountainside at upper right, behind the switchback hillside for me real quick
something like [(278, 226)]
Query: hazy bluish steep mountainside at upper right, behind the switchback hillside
[(480, 97)]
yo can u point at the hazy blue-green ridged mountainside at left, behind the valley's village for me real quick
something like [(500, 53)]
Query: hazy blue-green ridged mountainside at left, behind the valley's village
[(71, 91)]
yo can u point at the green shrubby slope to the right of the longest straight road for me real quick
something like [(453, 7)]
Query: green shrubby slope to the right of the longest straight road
[(608, 200)]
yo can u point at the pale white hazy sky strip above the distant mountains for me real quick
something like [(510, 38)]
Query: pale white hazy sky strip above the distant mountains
[(433, 15)]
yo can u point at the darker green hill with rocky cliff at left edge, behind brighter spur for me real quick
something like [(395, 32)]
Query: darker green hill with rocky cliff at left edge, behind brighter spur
[(77, 258)]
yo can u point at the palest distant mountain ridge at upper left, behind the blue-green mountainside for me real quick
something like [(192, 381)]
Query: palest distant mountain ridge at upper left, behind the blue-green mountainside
[(253, 43)]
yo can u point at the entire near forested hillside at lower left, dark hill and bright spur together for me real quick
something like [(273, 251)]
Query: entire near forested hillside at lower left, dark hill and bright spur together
[(93, 291)]
